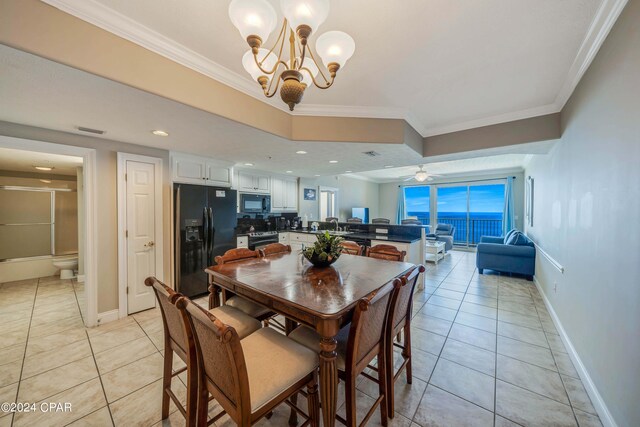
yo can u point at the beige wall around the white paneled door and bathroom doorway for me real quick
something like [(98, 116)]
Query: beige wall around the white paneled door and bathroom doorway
[(107, 242)]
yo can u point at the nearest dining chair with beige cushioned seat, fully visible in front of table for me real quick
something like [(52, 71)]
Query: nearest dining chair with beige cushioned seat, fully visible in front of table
[(248, 378)]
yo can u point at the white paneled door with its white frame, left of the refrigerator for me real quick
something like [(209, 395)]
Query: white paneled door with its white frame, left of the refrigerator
[(140, 243)]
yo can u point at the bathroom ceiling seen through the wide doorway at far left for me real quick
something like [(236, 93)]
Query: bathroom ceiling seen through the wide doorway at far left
[(24, 161)]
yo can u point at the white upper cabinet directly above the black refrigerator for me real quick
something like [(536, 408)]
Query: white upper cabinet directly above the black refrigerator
[(190, 169)]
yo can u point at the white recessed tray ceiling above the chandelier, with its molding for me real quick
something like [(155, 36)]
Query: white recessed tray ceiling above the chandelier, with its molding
[(444, 65)]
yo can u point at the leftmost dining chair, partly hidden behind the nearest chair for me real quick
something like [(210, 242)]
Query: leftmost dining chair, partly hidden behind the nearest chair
[(176, 338)]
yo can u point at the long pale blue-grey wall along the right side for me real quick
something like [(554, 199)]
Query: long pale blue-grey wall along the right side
[(587, 217)]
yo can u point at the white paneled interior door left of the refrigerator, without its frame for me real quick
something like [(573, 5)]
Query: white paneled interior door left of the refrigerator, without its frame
[(141, 238)]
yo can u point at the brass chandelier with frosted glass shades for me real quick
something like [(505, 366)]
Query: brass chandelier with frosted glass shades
[(290, 65)]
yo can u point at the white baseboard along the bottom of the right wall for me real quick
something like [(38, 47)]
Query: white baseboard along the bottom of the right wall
[(598, 403)]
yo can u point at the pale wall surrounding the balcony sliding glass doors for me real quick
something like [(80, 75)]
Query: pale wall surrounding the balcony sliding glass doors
[(389, 194)]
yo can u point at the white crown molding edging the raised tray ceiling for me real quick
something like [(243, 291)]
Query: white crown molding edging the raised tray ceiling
[(96, 13)]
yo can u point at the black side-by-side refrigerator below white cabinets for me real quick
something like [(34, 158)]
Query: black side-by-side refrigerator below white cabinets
[(204, 227)]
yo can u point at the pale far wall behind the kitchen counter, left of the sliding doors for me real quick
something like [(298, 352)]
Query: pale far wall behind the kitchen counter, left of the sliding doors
[(353, 193)]
